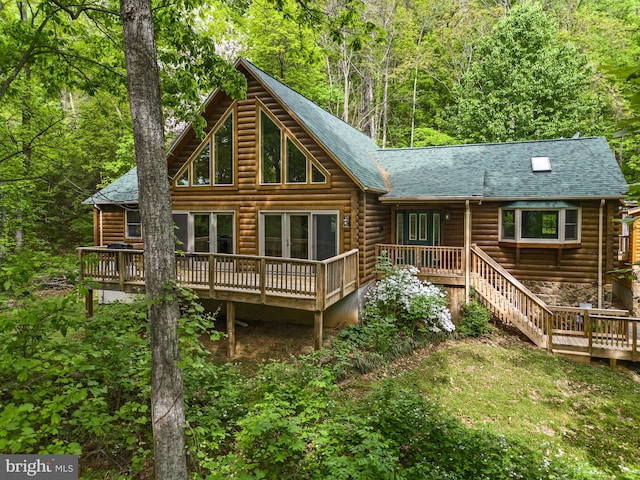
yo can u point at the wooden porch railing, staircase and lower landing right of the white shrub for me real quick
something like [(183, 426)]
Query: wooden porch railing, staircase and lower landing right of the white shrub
[(569, 331)]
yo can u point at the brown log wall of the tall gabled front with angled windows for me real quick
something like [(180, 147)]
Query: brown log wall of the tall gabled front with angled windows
[(247, 197)]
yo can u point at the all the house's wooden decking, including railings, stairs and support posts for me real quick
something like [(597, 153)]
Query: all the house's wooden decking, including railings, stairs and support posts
[(315, 285)]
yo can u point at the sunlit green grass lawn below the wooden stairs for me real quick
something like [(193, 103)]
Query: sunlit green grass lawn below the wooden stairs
[(588, 413)]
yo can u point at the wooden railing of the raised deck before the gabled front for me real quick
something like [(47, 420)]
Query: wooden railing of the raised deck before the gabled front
[(241, 277)]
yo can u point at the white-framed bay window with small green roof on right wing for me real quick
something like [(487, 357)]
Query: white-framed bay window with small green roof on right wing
[(543, 223)]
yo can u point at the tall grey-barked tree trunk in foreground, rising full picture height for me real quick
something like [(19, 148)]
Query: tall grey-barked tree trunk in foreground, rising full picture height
[(167, 398)]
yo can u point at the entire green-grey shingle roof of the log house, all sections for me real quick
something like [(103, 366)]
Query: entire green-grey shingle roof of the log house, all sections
[(580, 167)]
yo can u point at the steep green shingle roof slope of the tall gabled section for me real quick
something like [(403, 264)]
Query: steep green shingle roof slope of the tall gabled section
[(350, 147)]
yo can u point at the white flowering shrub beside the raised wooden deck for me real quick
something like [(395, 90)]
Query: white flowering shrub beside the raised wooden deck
[(412, 304)]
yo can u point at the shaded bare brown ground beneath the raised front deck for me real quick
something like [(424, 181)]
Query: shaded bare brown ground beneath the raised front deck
[(260, 340)]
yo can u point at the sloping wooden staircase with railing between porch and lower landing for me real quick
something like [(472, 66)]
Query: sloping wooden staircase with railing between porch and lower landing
[(508, 299)]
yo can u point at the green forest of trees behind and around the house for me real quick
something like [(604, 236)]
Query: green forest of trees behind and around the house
[(412, 73)]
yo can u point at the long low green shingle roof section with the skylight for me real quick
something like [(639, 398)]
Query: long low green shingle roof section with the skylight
[(580, 168)]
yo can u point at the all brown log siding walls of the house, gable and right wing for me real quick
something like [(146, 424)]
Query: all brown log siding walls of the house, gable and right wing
[(370, 221)]
